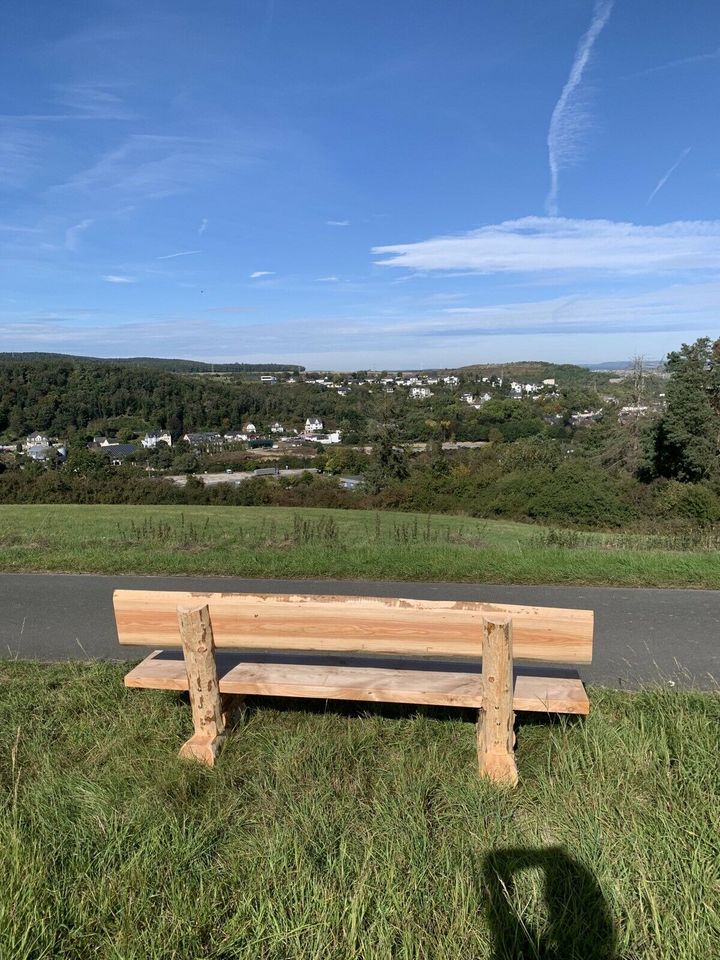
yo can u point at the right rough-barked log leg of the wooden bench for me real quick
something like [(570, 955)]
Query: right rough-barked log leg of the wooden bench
[(495, 738)]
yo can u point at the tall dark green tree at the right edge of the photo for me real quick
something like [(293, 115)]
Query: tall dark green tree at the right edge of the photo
[(687, 437)]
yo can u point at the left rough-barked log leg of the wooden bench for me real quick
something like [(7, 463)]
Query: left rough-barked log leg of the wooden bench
[(207, 709)]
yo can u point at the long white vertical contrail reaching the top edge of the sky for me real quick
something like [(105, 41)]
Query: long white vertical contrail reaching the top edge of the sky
[(566, 118)]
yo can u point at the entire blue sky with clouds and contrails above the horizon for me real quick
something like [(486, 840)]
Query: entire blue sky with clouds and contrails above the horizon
[(352, 184)]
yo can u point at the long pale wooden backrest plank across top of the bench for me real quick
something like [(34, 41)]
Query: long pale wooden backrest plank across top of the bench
[(354, 624)]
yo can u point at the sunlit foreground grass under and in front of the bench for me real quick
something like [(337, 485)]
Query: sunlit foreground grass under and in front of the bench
[(338, 832)]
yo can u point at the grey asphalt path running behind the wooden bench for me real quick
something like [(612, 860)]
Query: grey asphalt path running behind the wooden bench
[(640, 636)]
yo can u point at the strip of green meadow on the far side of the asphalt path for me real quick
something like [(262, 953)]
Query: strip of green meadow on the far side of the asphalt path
[(349, 544)]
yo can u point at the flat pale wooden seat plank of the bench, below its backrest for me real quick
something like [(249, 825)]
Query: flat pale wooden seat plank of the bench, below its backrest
[(381, 684)]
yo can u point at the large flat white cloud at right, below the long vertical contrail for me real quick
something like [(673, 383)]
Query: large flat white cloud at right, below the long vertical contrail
[(536, 244)]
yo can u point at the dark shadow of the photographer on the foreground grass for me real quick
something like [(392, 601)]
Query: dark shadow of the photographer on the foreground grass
[(578, 925)]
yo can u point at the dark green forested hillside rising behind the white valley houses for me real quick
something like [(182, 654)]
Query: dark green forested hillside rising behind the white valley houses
[(63, 397)]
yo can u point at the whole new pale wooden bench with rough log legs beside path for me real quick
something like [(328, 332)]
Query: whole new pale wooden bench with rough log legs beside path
[(336, 648)]
